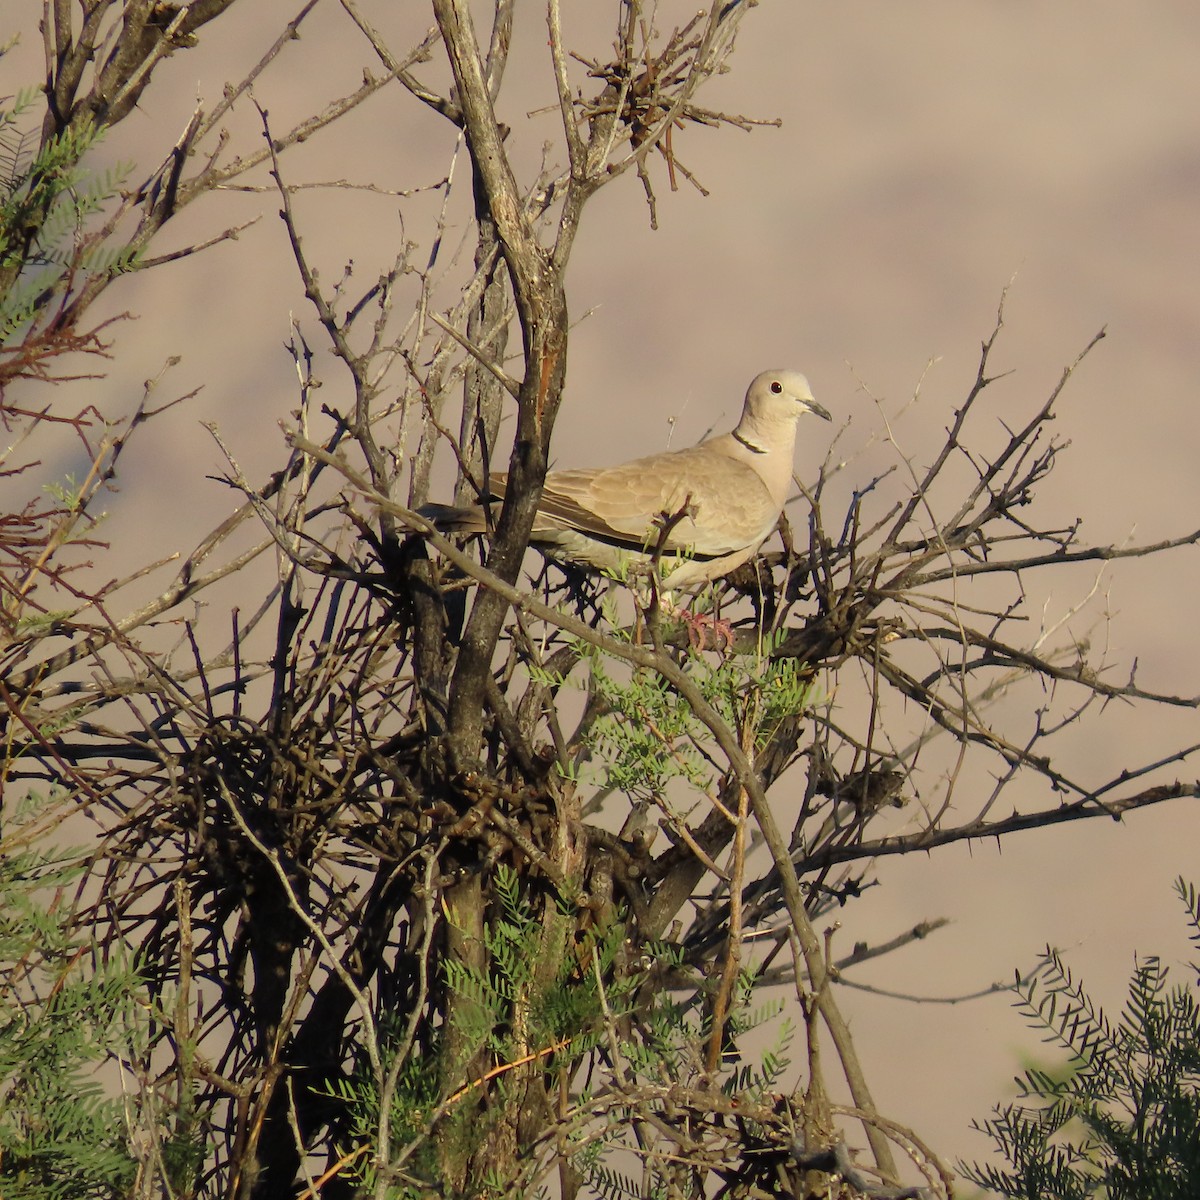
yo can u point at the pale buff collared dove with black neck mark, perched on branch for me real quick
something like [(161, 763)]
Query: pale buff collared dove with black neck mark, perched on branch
[(718, 501)]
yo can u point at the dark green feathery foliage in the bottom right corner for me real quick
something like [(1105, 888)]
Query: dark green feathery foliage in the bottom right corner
[(1124, 1121)]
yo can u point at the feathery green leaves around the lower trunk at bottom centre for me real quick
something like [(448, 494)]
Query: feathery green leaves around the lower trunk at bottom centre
[(592, 1006)]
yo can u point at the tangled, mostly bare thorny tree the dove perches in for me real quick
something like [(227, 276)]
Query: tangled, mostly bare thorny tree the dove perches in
[(437, 878)]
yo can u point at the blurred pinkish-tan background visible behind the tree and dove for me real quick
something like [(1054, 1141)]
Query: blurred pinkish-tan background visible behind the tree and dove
[(931, 152)]
